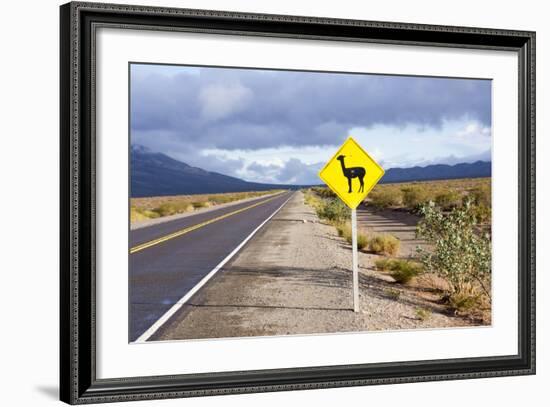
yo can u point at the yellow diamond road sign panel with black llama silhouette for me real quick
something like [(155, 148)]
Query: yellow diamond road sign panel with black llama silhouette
[(351, 173)]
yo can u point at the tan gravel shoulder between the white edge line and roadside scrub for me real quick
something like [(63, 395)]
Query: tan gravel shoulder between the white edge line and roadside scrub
[(294, 278)]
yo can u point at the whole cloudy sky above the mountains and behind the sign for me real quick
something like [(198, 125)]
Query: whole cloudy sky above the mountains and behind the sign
[(282, 126)]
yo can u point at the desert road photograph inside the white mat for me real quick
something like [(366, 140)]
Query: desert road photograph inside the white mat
[(270, 202)]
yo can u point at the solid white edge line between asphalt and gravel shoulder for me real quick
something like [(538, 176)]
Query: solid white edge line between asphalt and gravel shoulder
[(162, 320)]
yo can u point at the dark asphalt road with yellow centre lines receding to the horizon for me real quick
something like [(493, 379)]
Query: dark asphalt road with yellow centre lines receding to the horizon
[(161, 274)]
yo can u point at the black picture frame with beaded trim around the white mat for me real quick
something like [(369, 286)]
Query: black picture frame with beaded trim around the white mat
[(78, 381)]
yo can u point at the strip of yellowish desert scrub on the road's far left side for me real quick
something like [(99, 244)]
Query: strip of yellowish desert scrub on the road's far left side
[(155, 207)]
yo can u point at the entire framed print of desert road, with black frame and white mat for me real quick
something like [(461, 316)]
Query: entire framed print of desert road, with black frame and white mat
[(256, 203)]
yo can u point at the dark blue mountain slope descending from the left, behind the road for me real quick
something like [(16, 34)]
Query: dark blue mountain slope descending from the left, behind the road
[(156, 174)]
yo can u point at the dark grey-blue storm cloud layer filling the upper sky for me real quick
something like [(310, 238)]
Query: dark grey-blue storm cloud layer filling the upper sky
[(252, 109)]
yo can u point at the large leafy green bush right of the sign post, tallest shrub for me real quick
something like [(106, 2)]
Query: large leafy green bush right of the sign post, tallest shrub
[(460, 253)]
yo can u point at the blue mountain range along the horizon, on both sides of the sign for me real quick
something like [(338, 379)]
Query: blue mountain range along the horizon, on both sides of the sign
[(156, 174)]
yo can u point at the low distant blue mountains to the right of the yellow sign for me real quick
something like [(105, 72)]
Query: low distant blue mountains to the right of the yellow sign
[(438, 171)]
